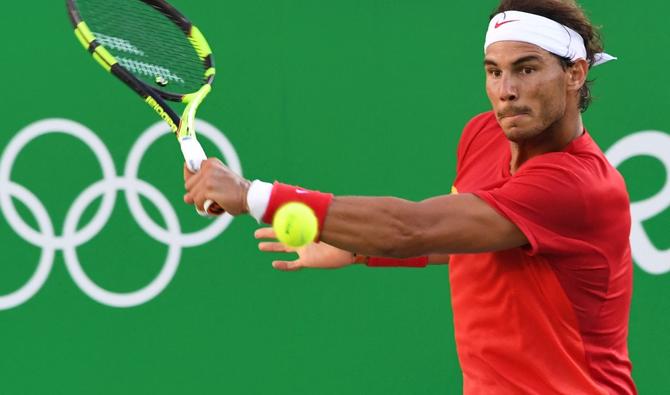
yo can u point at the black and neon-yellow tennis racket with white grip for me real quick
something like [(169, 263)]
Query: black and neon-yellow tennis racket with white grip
[(156, 52)]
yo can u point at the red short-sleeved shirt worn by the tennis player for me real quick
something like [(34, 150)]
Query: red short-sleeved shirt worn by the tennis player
[(550, 317)]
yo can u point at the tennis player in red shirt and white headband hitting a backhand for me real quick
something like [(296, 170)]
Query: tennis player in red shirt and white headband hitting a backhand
[(535, 231)]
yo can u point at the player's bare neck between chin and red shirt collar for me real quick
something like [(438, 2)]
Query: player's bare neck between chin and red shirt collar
[(554, 139)]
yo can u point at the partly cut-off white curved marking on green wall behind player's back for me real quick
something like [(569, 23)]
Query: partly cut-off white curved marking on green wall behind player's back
[(657, 145)]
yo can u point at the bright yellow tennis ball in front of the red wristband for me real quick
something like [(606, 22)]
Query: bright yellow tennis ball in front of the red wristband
[(295, 224)]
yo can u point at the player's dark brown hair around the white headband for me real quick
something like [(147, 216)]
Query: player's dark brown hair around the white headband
[(570, 14)]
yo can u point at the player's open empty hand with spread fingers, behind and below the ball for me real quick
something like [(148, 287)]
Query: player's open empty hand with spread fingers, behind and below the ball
[(314, 255)]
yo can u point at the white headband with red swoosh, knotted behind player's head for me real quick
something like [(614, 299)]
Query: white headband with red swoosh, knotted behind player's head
[(543, 32)]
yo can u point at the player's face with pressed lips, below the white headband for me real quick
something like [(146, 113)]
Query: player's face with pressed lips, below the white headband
[(527, 87)]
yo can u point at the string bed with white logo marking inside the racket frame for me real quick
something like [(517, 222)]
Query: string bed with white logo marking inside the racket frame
[(146, 43)]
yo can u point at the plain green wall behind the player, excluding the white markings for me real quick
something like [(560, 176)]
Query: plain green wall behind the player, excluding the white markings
[(354, 97)]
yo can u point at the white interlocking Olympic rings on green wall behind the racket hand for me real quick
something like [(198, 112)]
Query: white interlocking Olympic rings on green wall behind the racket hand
[(70, 238)]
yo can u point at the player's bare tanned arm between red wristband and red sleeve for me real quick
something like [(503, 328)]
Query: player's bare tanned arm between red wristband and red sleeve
[(397, 228)]
